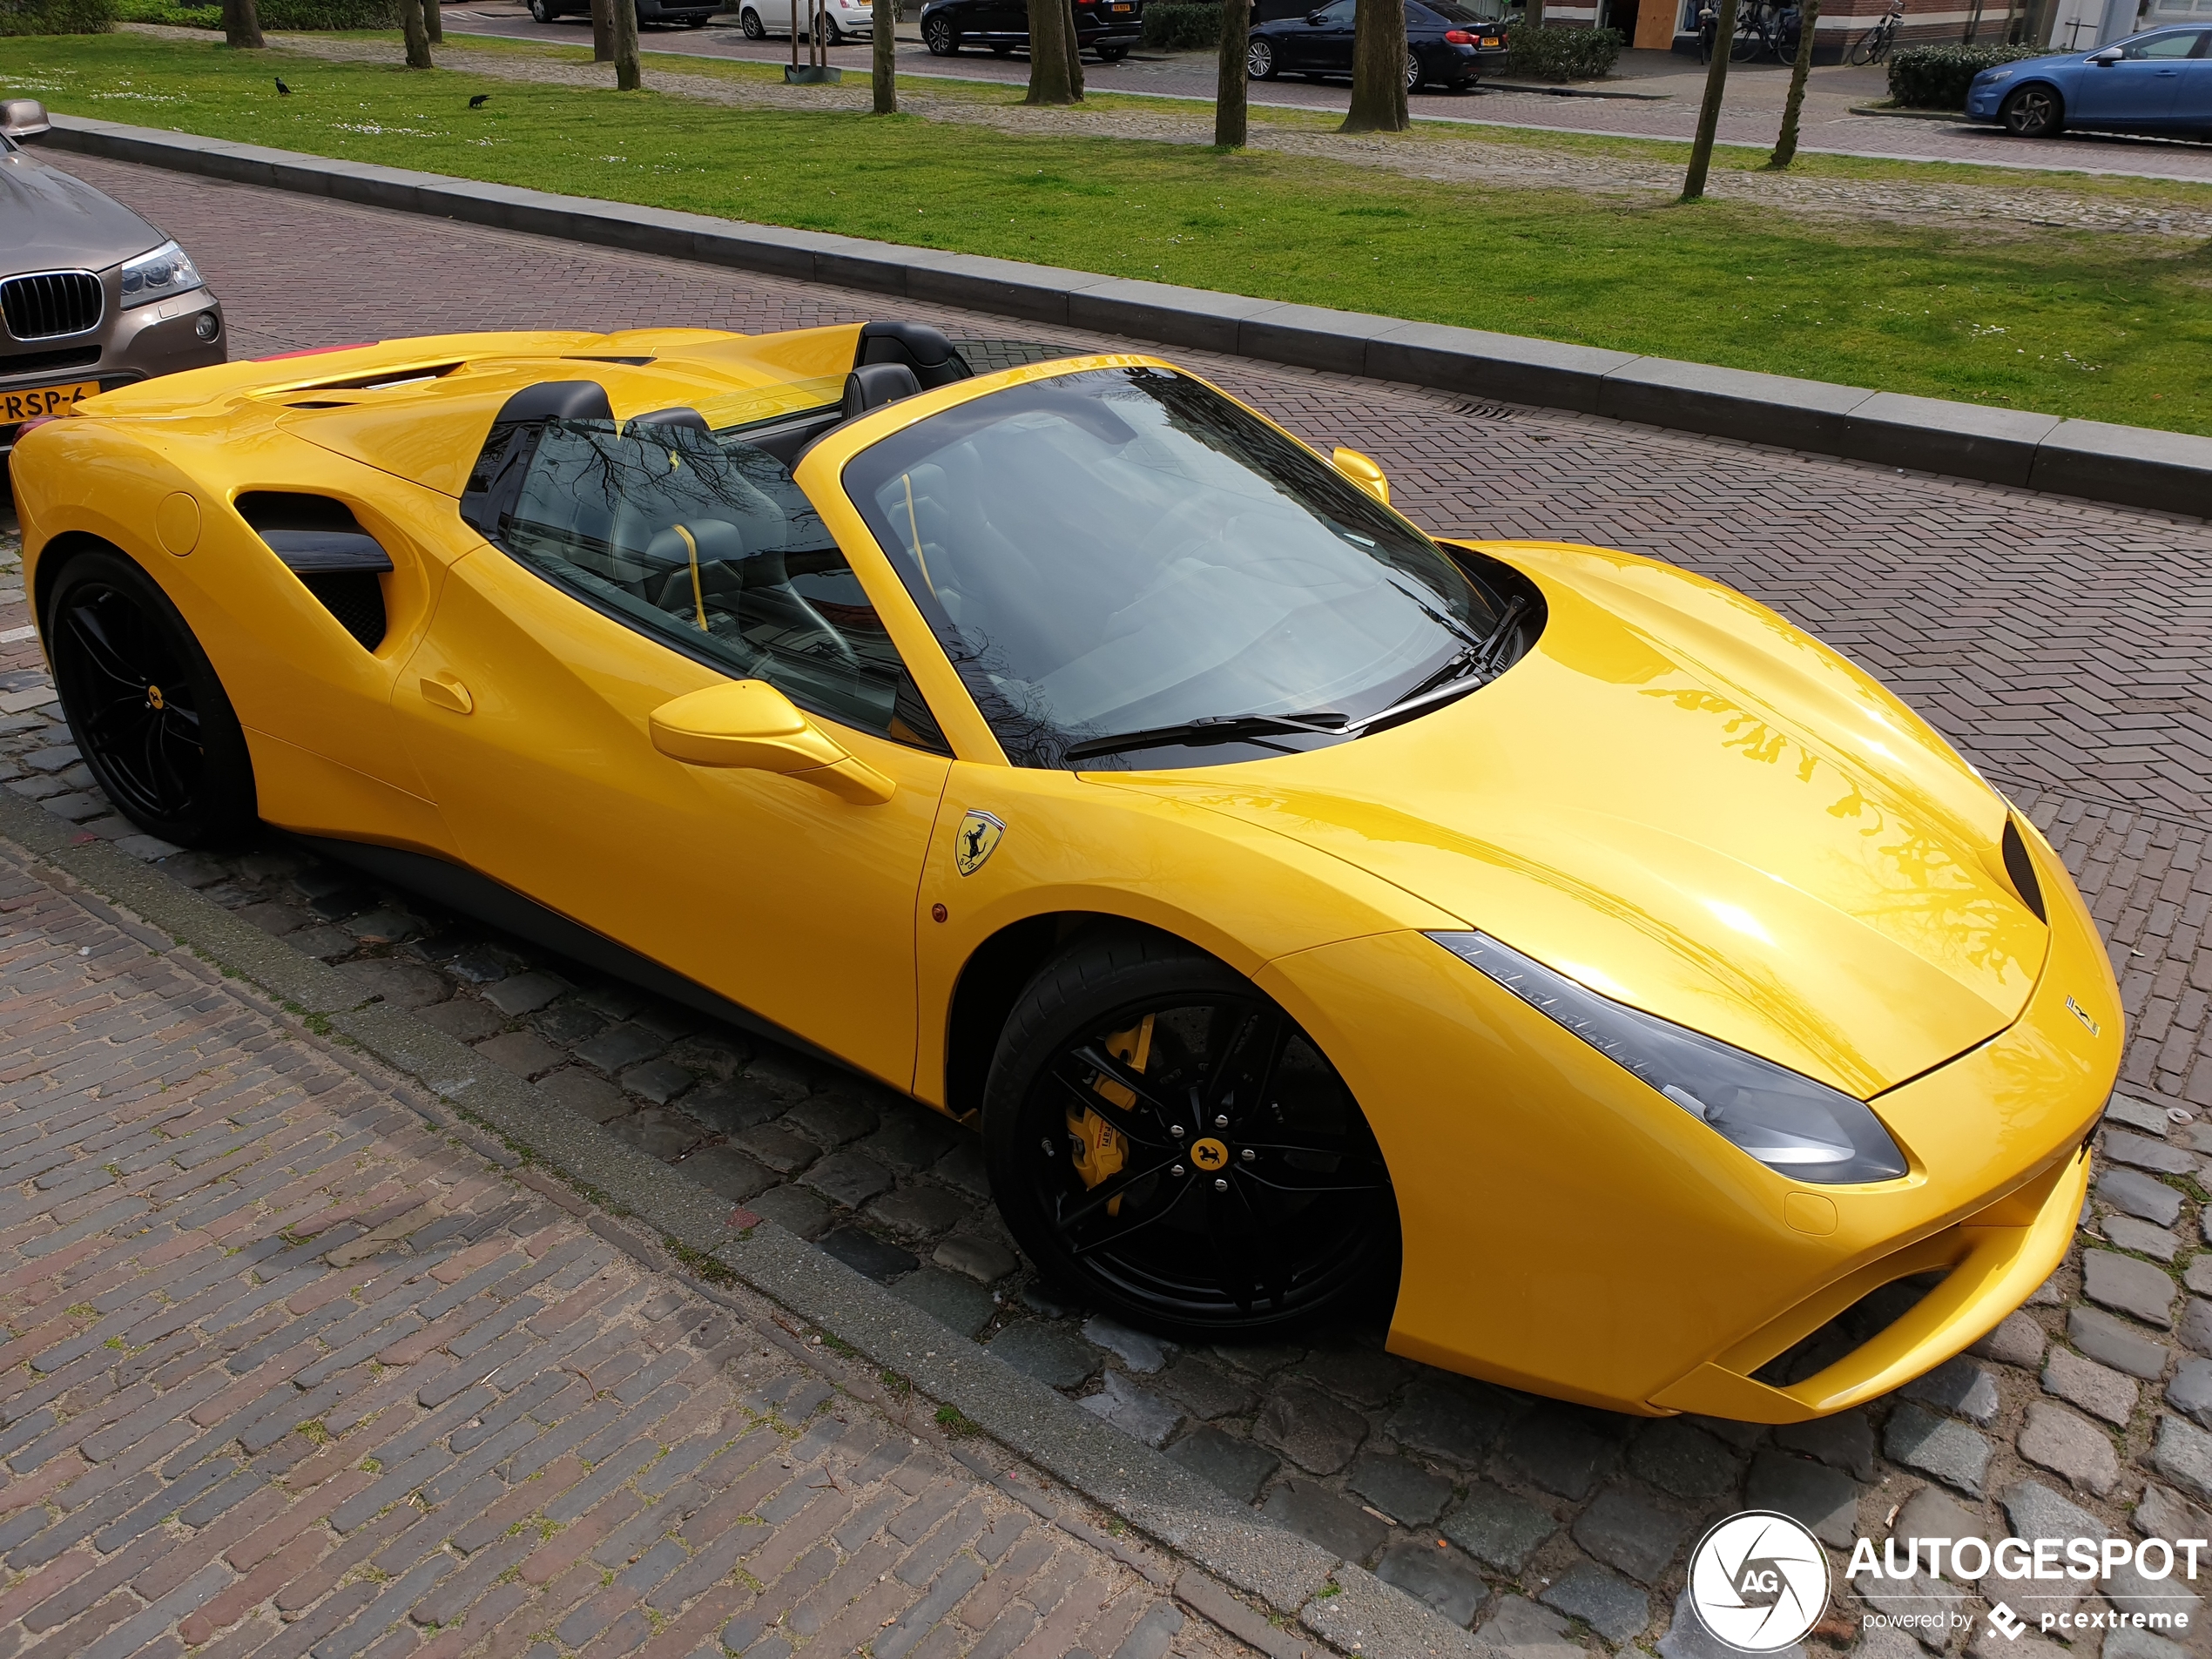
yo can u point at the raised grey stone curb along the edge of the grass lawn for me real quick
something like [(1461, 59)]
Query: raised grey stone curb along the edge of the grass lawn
[(2127, 466)]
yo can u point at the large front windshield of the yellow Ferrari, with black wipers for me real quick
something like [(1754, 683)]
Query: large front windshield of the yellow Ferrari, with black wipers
[(1127, 552)]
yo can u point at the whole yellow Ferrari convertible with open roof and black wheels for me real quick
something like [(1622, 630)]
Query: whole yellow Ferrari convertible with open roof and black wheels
[(1545, 946)]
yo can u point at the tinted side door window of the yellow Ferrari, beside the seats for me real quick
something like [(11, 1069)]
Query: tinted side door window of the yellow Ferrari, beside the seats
[(716, 552)]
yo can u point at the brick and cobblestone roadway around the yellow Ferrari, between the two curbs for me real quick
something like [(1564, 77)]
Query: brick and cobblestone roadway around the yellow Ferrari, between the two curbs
[(2054, 640)]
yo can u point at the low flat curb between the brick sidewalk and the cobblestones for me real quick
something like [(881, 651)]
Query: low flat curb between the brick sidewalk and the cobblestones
[(1039, 1423)]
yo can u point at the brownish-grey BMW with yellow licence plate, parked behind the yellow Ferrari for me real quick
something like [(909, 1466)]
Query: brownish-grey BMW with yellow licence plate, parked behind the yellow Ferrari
[(92, 298)]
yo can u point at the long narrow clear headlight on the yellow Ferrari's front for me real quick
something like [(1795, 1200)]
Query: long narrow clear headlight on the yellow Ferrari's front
[(1788, 1123)]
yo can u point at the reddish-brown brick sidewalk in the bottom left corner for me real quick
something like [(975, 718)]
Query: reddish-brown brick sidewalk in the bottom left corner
[(298, 1366)]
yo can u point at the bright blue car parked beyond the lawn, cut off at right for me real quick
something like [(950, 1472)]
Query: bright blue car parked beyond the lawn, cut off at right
[(2151, 83)]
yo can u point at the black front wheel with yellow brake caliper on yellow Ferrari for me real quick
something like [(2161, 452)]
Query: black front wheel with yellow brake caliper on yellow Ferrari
[(1167, 1142)]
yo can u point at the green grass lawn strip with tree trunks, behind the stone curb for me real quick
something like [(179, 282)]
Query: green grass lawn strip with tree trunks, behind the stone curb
[(2098, 326)]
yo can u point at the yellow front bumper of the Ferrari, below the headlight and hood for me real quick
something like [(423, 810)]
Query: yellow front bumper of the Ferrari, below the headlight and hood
[(1572, 1233)]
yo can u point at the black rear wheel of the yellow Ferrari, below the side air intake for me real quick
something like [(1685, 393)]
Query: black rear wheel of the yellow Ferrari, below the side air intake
[(145, 705)]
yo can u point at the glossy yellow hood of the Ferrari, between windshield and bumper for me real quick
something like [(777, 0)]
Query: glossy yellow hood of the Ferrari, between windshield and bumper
[(1693, 808)]
